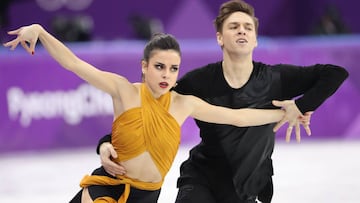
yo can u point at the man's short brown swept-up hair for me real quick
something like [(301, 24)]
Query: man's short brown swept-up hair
[(231, 7)]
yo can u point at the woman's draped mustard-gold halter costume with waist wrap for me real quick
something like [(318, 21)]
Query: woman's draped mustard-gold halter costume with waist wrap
[(147, 128)]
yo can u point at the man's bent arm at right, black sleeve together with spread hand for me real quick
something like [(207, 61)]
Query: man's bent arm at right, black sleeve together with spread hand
[(312, 85)]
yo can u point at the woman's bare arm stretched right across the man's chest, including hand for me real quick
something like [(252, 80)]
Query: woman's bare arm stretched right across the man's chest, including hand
[(201, 110)]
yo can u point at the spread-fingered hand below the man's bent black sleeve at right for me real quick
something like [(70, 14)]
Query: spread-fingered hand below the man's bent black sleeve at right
[(294, 117)]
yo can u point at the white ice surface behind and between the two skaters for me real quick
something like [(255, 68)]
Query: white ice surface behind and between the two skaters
[(318, 171)]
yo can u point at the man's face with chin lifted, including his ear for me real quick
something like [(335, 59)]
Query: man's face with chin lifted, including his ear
[(238, 34)]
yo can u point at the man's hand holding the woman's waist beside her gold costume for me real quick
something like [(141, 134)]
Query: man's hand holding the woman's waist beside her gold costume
[(106, 152)]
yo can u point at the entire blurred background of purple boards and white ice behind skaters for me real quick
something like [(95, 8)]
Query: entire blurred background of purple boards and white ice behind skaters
[(50, 120)]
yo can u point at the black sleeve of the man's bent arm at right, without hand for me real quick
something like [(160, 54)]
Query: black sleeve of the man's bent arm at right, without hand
[(314, 84)]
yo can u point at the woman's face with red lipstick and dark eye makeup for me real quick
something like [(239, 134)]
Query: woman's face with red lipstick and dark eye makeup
[(161, 71)]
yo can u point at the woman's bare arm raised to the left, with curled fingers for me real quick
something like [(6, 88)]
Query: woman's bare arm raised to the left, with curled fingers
[(28, 36)]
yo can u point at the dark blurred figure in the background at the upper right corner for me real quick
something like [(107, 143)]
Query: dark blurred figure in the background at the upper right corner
[(330, 23)]
